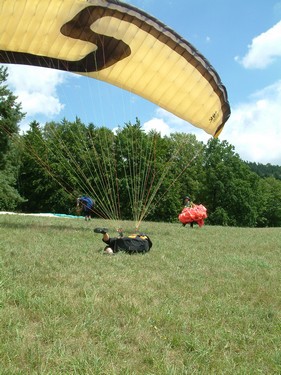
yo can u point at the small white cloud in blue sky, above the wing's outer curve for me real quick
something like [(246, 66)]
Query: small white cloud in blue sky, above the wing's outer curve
[(263, 50)]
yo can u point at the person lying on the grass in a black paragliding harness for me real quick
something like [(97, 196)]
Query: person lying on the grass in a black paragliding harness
[(134, 243)]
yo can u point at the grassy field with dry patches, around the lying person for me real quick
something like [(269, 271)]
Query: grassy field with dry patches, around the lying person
[(203, 301)]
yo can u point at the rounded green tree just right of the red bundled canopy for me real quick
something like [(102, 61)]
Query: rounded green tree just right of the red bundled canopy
[(231, 188)]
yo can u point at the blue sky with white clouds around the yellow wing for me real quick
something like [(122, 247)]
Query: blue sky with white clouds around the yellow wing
[(240, 38)]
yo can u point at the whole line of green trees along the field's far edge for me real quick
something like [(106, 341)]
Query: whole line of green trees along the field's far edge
[(129, 173)]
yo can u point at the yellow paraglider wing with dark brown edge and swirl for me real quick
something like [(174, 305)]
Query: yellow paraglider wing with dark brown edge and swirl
[(119, 44)]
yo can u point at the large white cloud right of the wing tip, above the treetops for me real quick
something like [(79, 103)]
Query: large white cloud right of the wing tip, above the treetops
[(254, 128)]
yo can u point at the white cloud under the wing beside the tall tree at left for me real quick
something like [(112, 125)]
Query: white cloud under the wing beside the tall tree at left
[(36, 89)]
